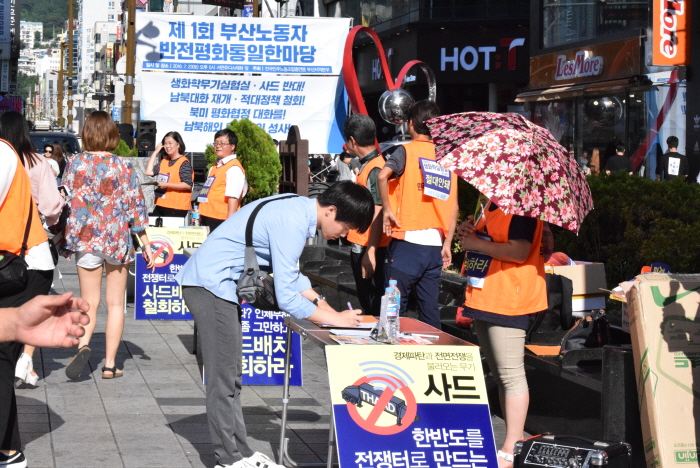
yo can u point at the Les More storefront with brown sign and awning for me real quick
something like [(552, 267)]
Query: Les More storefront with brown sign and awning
[(593, 83)]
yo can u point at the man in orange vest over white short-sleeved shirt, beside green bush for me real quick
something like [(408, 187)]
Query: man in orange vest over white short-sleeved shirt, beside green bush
[(226, 184)]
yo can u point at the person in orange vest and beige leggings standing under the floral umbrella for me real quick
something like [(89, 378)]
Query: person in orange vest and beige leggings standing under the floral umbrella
[(506, 283)]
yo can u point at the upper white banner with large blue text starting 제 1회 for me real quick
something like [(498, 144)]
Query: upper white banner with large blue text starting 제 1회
[(309, 46)]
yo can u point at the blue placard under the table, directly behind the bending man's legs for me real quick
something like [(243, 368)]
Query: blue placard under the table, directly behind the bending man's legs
[(264, 346)]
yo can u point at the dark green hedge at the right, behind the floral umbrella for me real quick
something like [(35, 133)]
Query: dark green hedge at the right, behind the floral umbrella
[(636, 222)]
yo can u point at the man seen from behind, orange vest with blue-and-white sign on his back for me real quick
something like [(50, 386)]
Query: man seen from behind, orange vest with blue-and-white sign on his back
[(419, 200)]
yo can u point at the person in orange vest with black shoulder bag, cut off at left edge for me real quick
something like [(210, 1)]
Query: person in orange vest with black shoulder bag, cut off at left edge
[(22, 235)]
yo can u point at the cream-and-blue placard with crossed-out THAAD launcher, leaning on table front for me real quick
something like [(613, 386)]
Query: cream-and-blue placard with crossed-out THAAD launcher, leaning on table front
[(410, 406)]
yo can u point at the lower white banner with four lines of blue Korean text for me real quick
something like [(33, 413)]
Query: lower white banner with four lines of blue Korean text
[(198, 105)]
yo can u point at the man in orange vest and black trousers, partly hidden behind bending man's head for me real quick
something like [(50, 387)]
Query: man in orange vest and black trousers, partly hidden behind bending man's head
[(359, 132)]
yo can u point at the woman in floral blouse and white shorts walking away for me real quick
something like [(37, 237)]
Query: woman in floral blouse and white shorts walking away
[(107, 205)]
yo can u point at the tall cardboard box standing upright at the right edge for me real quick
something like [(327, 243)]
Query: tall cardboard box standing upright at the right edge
[(662, 310)]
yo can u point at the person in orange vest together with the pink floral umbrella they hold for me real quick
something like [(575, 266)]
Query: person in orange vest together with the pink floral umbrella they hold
[(526, 178)]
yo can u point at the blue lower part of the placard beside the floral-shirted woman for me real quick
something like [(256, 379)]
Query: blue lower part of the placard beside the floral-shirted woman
[(157, 295)]
